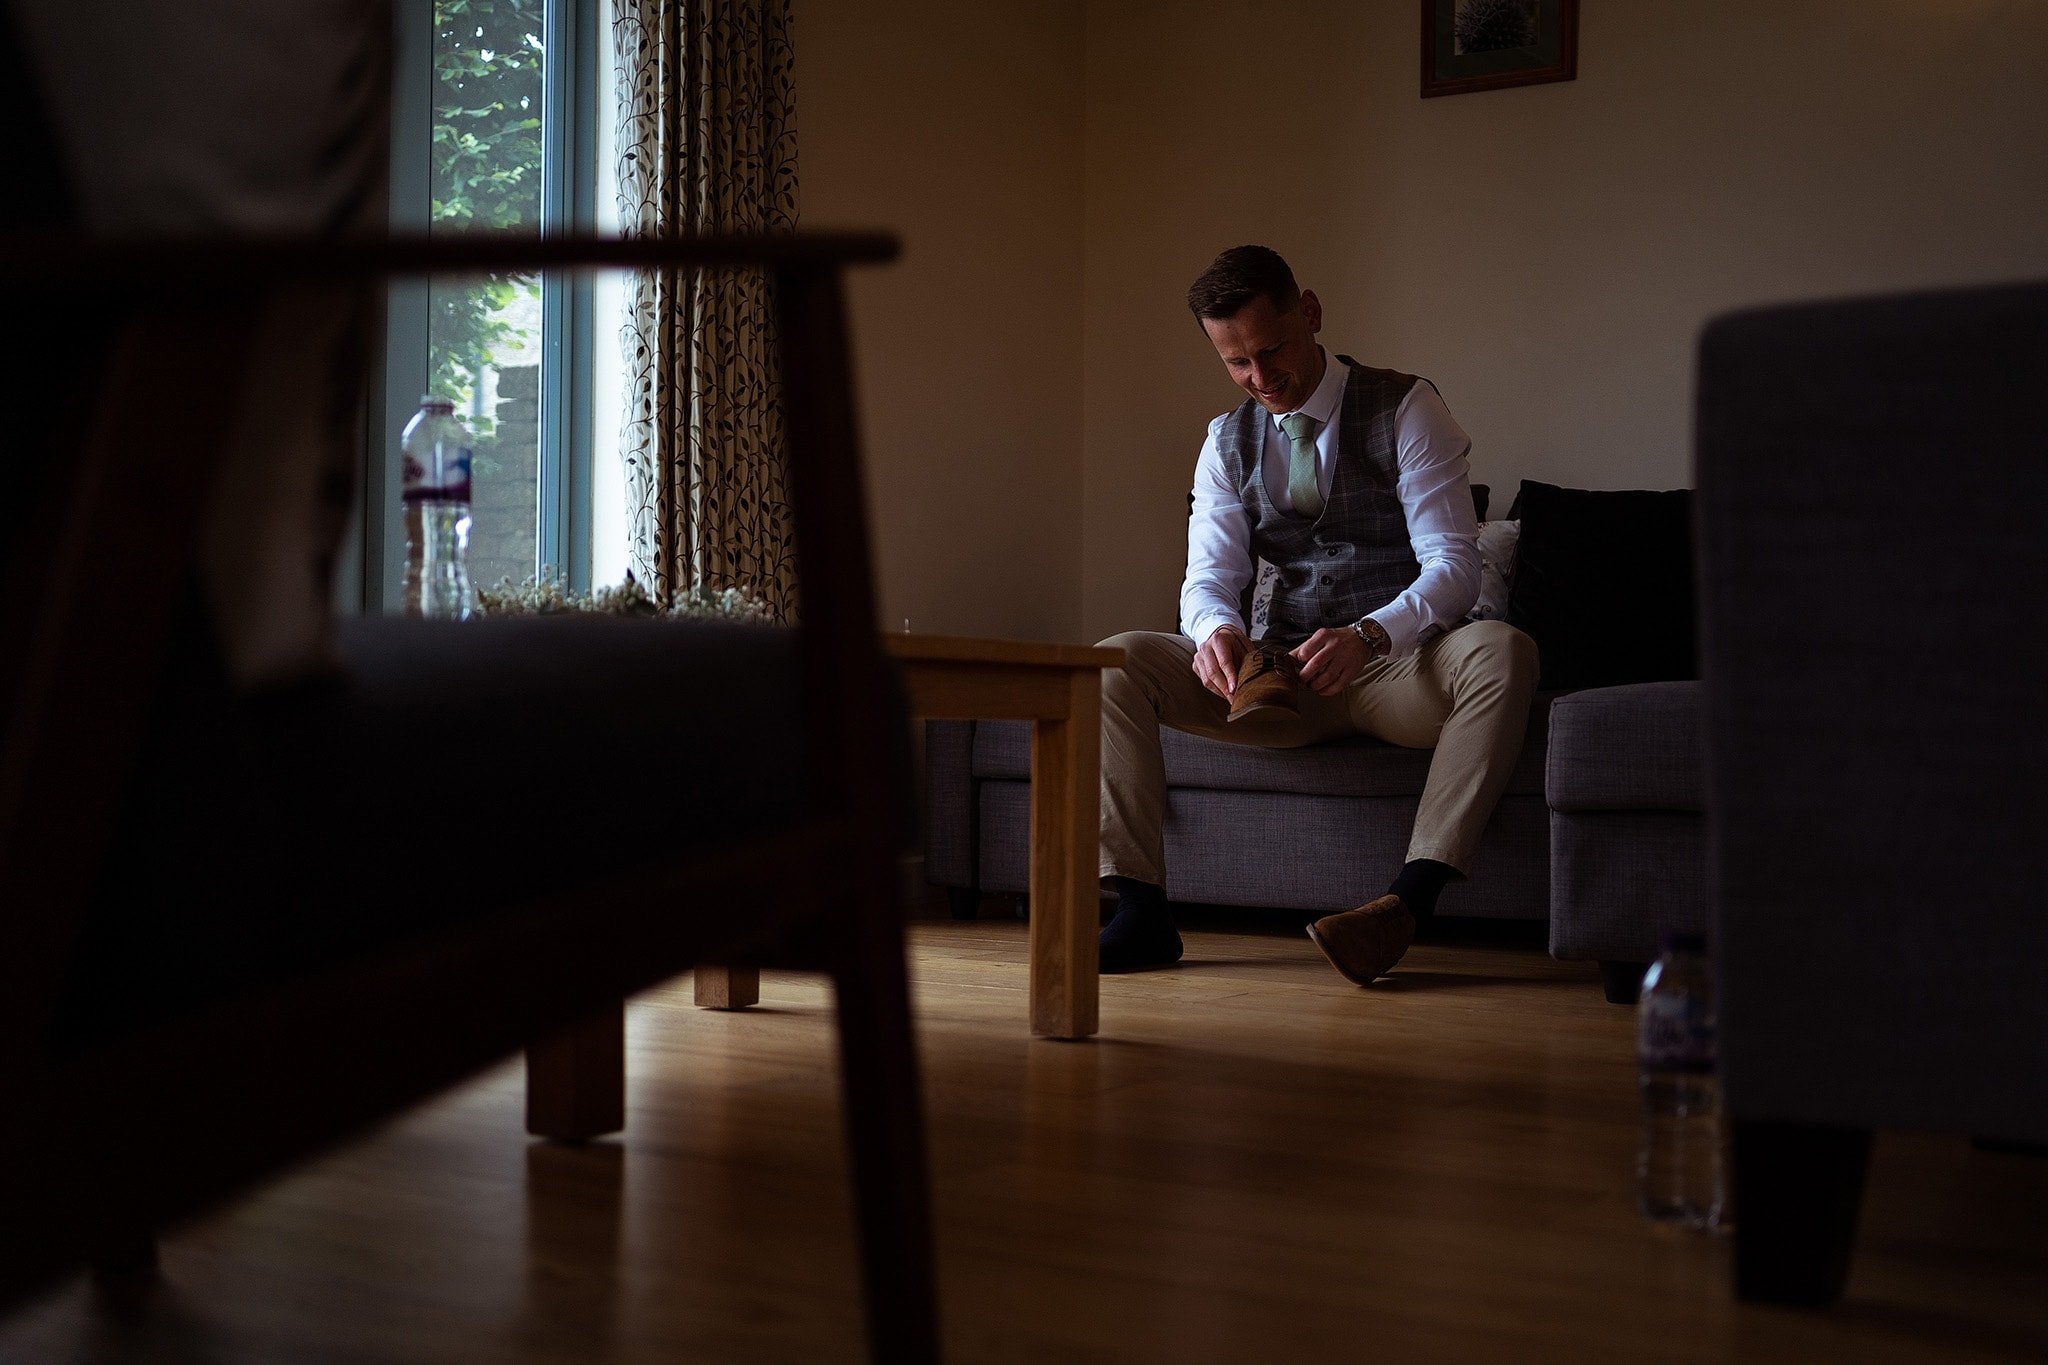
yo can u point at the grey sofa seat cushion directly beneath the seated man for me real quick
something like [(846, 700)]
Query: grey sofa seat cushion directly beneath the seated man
[(1357, 766)]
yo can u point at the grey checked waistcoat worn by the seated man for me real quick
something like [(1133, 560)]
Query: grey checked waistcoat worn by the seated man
[(1353, 560)]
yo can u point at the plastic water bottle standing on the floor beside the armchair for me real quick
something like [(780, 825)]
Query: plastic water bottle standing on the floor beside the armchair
[(1678, 1172)]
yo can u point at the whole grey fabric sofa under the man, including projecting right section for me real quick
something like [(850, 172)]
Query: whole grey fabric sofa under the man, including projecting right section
[(1601, 828)]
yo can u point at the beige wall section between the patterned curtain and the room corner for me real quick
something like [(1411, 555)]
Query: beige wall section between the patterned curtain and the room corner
[(959, 128)]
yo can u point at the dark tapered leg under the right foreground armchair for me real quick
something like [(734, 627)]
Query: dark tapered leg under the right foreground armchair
[(1797, 1194)]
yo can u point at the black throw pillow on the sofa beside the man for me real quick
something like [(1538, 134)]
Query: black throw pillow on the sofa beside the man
[(1605, 584)]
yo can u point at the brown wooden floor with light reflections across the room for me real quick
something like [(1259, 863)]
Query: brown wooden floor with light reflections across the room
[(1254, 1163)]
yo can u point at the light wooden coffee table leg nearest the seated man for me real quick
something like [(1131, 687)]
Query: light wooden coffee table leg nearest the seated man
[(1066, 773)]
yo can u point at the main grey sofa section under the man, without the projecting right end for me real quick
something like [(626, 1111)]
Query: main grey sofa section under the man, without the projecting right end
[(1299, 830)]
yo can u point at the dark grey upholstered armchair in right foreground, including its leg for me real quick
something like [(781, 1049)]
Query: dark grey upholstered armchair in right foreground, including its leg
[(1873, 484)]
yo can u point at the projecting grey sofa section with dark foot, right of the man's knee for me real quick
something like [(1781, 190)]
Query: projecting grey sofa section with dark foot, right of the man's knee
[(1627, 832)]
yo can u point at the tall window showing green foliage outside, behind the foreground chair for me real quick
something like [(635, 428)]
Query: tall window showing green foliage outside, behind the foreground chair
[(495, 130)]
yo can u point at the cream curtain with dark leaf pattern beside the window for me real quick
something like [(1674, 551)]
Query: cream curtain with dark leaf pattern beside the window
[(706, 144)]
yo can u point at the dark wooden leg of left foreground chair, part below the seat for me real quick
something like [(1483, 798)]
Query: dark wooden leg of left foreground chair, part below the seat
[(886, 1133)]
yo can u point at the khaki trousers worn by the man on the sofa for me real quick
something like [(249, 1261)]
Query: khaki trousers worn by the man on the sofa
[(1465, 695)]
